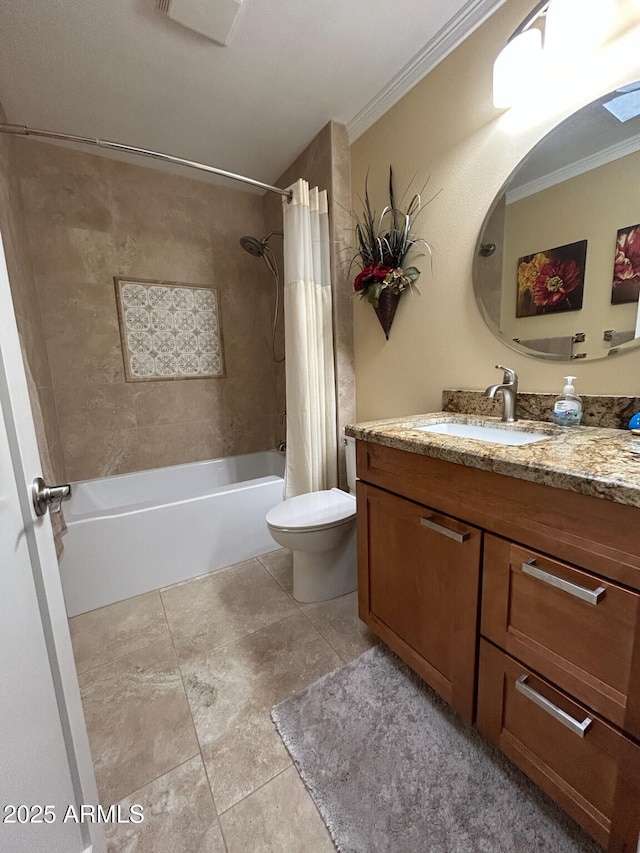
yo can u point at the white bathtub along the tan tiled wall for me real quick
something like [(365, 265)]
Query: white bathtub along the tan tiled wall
[(132, 533)]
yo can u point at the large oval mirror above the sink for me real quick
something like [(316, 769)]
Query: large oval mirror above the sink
[(557, 266)]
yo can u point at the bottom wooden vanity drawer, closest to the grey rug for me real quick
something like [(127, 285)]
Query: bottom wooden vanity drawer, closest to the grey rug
[(537, 727)]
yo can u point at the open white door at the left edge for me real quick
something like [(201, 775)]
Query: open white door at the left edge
[(45, 764)]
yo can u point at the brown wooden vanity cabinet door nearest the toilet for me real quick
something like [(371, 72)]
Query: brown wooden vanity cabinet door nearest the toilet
[(418, 578)]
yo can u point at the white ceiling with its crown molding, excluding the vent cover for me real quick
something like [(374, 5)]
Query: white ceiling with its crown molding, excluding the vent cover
[(121, 70)]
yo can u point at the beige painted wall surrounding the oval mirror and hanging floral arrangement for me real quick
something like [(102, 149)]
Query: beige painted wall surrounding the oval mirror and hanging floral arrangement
[(447, 128)]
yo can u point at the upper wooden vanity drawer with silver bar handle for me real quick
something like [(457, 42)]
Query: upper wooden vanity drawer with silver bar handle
[(572, 627)]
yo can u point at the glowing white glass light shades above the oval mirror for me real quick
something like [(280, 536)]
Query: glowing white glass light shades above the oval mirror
[(570, 27)]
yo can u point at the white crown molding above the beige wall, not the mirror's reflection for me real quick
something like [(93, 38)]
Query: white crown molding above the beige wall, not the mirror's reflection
[(469, 18)]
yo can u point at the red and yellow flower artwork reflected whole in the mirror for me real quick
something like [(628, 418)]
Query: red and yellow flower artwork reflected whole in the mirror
[(551, 281)]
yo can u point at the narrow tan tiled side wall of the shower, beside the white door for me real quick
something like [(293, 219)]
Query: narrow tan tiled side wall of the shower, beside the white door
[(25, 300)]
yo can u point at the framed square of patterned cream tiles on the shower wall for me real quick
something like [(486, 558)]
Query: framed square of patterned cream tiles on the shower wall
[(169, 330)]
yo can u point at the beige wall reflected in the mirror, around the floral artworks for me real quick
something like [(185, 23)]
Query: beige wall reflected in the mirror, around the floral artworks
[(591, 207)]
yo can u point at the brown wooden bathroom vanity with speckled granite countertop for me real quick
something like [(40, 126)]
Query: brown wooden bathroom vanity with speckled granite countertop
[(509, 579)]
